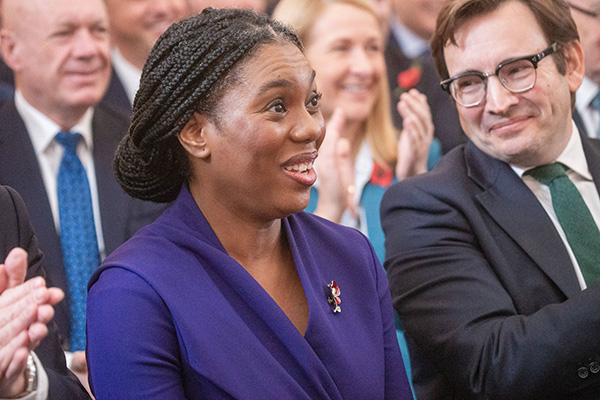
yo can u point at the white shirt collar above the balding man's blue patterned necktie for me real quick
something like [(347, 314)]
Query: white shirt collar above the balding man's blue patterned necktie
[(42, 129)]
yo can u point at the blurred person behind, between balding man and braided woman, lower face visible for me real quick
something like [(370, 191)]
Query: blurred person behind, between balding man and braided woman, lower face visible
[(135, 25)]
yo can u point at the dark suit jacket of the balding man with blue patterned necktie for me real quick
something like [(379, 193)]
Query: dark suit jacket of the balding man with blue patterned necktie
[(121, 215)]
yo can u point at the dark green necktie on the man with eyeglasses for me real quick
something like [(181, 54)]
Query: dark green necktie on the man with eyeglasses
[(574, 217)]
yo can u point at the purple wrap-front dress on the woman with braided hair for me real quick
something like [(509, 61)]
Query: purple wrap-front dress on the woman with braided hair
[(172, 316)]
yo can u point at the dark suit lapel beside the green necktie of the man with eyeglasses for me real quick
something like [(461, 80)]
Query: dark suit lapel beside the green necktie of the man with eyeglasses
[(516, 209)]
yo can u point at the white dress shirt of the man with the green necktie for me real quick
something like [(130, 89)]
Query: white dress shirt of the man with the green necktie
[(579, 173)]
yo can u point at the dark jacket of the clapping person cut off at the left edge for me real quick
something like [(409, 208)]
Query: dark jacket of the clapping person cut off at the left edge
[(16, 231)]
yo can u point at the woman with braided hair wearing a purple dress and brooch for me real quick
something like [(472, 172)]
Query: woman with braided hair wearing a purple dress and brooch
[(234, 292)]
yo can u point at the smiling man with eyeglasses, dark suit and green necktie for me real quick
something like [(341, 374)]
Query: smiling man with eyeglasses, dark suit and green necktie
[(494, 256)]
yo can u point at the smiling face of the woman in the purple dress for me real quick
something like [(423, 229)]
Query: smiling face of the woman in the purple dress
[(264, 136)]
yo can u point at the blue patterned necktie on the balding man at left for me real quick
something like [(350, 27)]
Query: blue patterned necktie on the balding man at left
[(77, 233)]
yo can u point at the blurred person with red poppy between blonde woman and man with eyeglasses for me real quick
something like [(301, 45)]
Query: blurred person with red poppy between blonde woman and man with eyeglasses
[(409, 65)]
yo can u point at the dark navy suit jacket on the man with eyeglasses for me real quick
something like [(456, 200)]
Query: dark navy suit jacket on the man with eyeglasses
[(485, 286)]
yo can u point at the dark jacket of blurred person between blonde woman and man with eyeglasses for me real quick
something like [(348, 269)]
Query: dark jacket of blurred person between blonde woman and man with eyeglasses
[(443, 110)]
